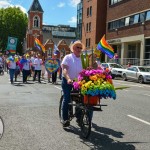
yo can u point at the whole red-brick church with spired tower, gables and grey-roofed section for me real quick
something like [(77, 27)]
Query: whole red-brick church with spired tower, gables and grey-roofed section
[(49, 35)]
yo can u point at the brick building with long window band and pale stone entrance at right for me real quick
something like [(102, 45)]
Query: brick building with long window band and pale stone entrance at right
[(128, 30)]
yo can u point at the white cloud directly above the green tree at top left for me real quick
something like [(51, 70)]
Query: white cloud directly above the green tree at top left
[(7, 3)]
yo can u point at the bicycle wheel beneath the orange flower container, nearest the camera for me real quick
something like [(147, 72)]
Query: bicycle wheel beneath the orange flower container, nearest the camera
[(85, 123)]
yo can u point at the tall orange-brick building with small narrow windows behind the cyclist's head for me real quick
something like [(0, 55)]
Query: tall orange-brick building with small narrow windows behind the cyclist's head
[(93, 22)]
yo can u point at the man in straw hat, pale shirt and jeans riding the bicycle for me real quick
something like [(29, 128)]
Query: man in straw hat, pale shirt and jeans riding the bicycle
[(71, 67)]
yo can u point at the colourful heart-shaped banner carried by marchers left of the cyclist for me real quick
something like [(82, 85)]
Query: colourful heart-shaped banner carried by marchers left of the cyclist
[(52, 65)]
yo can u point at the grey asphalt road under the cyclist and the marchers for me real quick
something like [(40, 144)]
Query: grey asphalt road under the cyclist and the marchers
[(31, 122)]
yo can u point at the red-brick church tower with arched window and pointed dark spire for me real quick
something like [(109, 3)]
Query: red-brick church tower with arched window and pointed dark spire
[(35, 22)]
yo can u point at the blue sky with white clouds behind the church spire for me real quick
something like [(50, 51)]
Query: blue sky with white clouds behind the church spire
[(56, 12)]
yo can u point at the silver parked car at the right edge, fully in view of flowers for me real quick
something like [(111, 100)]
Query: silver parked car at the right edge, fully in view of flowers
[(139, 73)]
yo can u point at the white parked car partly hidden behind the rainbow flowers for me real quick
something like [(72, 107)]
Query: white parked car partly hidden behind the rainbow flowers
[(115, 69)]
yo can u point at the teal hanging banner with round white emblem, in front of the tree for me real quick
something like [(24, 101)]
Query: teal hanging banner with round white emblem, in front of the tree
[(12, 44)]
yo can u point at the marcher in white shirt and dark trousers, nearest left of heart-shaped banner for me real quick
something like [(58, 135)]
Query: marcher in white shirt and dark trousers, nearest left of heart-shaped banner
[(37, 64)]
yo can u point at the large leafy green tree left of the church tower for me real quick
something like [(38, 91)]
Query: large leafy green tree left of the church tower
[(13, 23)]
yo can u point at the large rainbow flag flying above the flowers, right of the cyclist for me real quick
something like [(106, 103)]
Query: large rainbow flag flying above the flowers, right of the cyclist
[(105, 47)]
